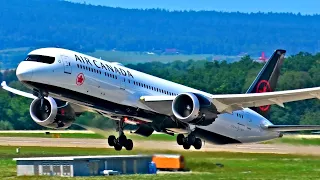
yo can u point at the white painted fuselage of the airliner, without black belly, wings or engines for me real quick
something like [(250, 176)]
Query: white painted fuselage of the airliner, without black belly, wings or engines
[(116, 83)]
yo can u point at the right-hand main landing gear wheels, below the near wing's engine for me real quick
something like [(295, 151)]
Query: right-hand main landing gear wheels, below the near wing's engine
[(190, 140)]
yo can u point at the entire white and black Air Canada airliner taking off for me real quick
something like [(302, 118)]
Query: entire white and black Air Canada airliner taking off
[(66, 84)]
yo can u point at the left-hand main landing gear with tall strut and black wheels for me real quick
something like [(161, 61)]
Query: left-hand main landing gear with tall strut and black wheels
[(122, 140)]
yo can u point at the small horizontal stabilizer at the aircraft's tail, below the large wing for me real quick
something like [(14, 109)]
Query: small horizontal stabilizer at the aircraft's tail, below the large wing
[(284, 128)]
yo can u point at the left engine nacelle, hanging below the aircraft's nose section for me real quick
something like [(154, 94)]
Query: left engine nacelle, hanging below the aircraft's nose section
[(54, 114)]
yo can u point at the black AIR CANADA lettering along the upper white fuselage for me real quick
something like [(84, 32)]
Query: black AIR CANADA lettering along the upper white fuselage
[(105, 66)]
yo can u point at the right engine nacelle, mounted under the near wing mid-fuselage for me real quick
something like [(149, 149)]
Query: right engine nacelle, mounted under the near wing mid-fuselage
[(194, 109)]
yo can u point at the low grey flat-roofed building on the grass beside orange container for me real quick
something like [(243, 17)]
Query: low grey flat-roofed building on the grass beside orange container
[(85, 165)]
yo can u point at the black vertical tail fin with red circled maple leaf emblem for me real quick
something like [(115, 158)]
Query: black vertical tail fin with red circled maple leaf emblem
[(267, 79)]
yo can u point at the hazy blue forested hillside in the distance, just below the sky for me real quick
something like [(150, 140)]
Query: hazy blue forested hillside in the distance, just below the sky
[(37, 23)]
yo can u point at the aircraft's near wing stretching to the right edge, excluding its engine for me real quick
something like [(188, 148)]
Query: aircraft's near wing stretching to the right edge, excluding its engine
[(232, 102)]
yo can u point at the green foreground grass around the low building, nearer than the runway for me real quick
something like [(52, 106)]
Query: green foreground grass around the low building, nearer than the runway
[(202, 164)]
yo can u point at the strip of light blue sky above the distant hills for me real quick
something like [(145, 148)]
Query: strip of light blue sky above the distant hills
[(294, 6)]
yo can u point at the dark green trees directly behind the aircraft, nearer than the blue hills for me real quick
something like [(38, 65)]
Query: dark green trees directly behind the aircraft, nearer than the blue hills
[(218, 77)]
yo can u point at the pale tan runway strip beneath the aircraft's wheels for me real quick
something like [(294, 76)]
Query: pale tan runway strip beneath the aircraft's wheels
[(160, 145)]
